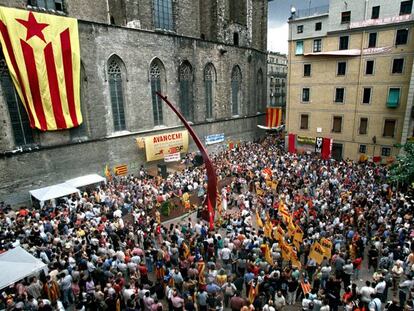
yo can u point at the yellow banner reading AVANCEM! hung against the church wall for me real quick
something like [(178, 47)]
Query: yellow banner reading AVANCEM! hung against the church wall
[(161, 145)]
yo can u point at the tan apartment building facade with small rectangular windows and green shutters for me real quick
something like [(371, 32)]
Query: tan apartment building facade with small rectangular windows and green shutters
[(350, 77)]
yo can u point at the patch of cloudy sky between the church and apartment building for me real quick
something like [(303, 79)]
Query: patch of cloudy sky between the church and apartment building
[(279, 12)]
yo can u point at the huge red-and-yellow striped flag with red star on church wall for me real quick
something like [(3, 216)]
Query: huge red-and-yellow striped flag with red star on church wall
[(42, 54)]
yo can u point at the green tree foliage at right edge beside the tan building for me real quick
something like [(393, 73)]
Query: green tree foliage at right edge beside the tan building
[(402, 171)]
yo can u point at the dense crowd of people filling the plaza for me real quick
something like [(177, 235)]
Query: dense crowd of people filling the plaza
[(98, 261)]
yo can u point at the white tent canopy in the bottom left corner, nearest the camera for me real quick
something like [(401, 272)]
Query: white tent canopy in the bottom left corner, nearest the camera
[(16, 264)]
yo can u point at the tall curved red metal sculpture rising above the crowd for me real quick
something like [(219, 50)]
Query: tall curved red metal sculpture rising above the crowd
[(211, 172)]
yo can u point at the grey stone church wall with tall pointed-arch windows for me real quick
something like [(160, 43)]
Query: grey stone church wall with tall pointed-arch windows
[(207, 56)]
